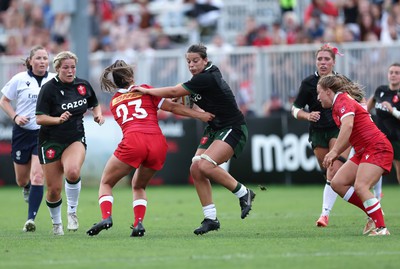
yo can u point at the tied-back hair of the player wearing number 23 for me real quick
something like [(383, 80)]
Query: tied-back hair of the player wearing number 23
[(119, 75)]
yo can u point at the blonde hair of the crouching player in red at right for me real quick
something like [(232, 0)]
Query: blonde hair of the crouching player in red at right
[(340, 83)]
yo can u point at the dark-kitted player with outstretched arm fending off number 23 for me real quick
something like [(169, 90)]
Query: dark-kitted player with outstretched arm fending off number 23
[(223, 138)]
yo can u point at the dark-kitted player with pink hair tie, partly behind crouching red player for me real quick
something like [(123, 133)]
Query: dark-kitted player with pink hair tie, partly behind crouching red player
[(323, 130)]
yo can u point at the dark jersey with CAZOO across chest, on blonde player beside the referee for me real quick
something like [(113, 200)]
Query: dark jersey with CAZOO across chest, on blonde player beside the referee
[(57, 97)]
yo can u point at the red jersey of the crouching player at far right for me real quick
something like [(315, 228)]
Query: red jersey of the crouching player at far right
[(364, 130)]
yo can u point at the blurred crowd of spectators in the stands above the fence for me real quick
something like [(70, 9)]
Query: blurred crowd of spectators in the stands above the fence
[(135, 26)]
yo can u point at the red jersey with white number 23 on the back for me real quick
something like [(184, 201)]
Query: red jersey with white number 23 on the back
[(136, 112)]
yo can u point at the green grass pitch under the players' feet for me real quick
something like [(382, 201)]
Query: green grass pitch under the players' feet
[(280, 232)]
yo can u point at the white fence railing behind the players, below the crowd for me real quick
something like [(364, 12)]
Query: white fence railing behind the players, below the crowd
[(259, 72)]
